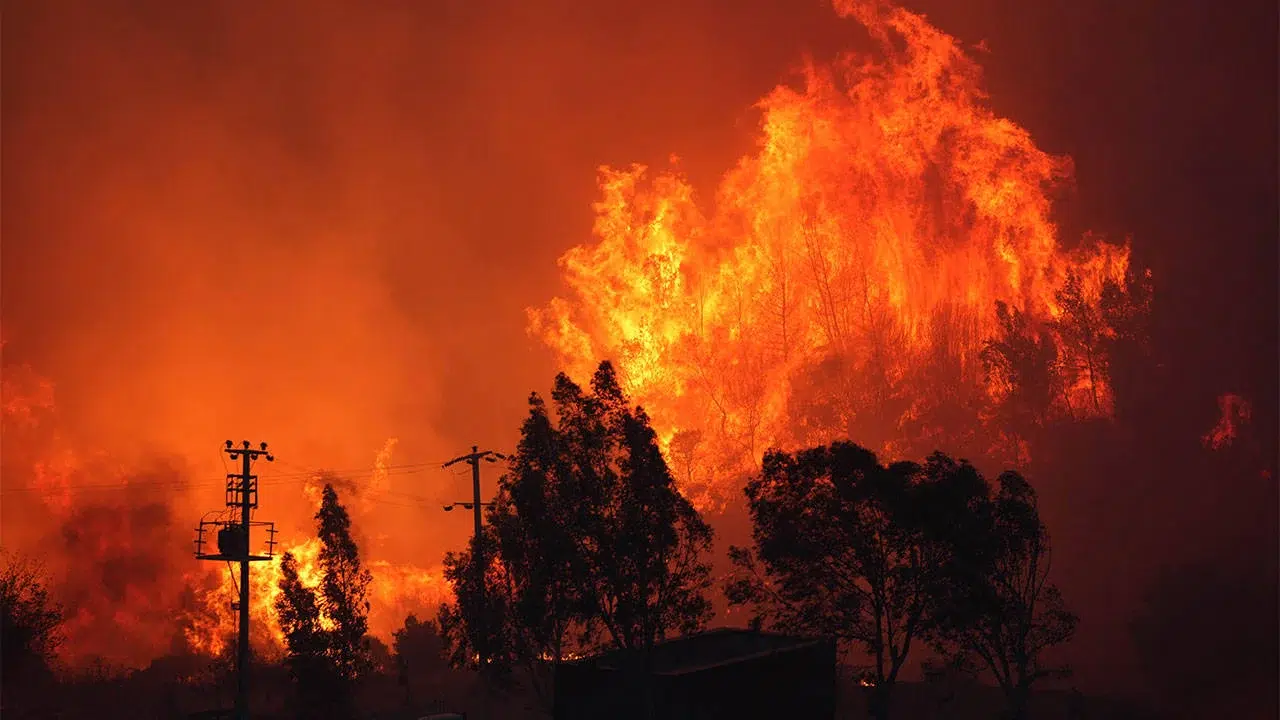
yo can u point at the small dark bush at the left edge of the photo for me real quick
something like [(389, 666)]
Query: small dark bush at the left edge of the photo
[(30, 626)]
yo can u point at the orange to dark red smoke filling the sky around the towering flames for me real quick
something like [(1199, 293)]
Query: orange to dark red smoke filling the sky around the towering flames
[(318, 227)]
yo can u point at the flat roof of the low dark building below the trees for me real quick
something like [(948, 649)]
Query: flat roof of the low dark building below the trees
[(702, 651)]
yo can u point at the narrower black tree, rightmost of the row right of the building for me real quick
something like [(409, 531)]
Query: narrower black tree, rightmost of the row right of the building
[(999, 605)]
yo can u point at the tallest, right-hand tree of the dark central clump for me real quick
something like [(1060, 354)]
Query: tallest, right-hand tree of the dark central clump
[(638, 545)]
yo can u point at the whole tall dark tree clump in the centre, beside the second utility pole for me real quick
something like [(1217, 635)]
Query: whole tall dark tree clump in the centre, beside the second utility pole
[(593, 544)]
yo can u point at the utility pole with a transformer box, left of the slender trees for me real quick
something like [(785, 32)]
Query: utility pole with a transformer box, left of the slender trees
[(234, 546)]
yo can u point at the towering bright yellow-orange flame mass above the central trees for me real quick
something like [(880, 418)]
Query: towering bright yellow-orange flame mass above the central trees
[(866, 243)]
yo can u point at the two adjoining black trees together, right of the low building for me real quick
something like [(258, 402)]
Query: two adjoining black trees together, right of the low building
[(886, 555)]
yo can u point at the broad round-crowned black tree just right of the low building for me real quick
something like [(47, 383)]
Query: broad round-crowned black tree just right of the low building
[(852, 549)]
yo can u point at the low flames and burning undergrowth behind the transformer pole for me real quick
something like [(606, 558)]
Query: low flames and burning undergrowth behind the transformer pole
[(117, 541)]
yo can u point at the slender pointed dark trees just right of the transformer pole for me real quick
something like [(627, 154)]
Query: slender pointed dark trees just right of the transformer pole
[(326, 628)]
